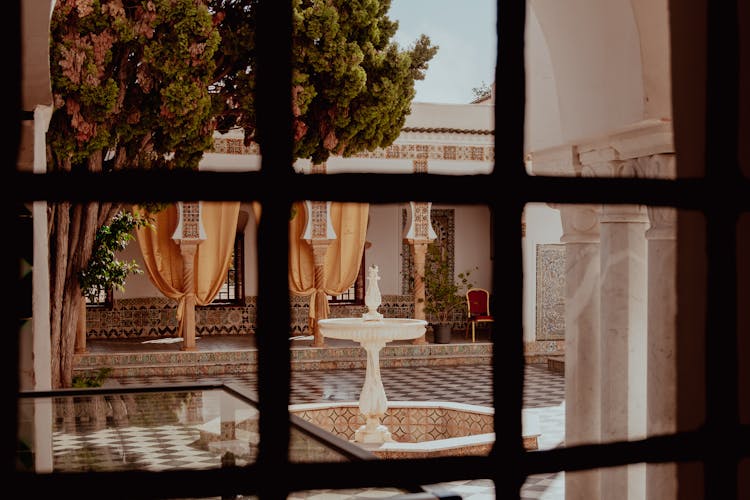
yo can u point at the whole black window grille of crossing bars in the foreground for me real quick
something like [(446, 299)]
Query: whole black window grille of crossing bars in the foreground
[(274, 37)]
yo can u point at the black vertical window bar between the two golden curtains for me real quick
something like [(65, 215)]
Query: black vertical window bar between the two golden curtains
[(274, 44)]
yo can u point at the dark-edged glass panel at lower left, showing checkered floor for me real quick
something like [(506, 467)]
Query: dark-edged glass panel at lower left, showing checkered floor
[(149, 431)]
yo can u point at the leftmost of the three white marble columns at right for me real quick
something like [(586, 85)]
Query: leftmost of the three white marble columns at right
[(582, 369)]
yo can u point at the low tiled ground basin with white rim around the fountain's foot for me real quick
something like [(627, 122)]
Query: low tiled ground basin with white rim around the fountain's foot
[(420, 429)]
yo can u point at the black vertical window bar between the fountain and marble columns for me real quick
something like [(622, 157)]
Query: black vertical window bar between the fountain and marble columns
[(506, 207)]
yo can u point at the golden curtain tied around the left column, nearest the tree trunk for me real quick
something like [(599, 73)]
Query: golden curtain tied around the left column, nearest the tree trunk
[(163, 260)]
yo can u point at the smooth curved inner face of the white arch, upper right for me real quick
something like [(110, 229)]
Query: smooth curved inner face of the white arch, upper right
[(595, 51)]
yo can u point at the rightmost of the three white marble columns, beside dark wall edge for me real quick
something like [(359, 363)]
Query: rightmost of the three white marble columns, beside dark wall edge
[(661, 479)]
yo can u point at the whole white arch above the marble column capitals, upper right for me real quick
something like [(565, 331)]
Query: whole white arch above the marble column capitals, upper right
[(609, 63)]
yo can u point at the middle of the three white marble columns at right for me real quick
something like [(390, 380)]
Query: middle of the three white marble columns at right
[(623, 341)]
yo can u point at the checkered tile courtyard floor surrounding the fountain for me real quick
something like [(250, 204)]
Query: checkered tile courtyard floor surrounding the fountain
[(543, 396)]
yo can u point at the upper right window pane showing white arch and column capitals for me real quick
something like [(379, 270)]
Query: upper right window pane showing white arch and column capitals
[(599, 105)]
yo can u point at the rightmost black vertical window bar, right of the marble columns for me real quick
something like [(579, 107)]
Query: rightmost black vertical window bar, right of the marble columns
[(722, 172)]
